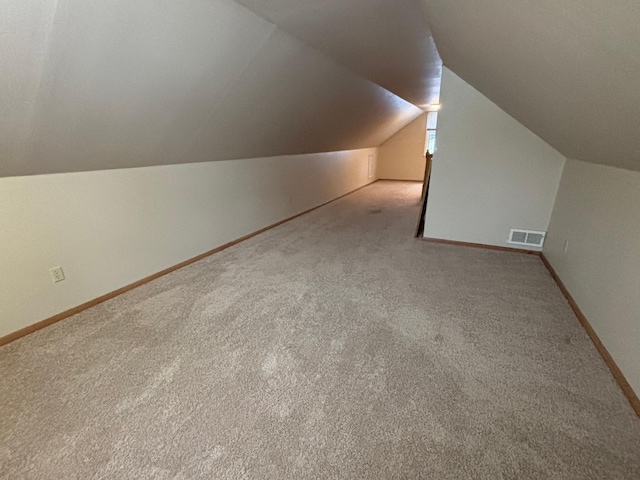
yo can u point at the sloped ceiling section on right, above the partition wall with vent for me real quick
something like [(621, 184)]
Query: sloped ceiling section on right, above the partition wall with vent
[(568, 70)]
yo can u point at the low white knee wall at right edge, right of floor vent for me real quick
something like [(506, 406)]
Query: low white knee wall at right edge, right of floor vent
[(596, 211)]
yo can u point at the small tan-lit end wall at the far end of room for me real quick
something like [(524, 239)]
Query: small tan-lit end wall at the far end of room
[(402, 156)]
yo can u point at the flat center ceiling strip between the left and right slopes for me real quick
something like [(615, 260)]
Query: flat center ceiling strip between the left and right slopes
[(386, 41)]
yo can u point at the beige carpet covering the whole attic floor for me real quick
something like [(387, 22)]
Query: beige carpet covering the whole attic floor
[(334, 346)]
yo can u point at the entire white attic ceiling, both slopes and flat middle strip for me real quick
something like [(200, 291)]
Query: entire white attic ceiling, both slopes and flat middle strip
[(112, 84)]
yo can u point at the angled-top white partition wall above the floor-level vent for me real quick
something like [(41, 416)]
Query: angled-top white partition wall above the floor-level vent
[(489, 174)]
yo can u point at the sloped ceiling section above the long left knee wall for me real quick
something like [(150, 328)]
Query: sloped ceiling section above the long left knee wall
[(112, 84)]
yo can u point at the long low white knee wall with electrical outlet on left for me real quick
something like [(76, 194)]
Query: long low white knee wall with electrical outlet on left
[(110, 228)]
